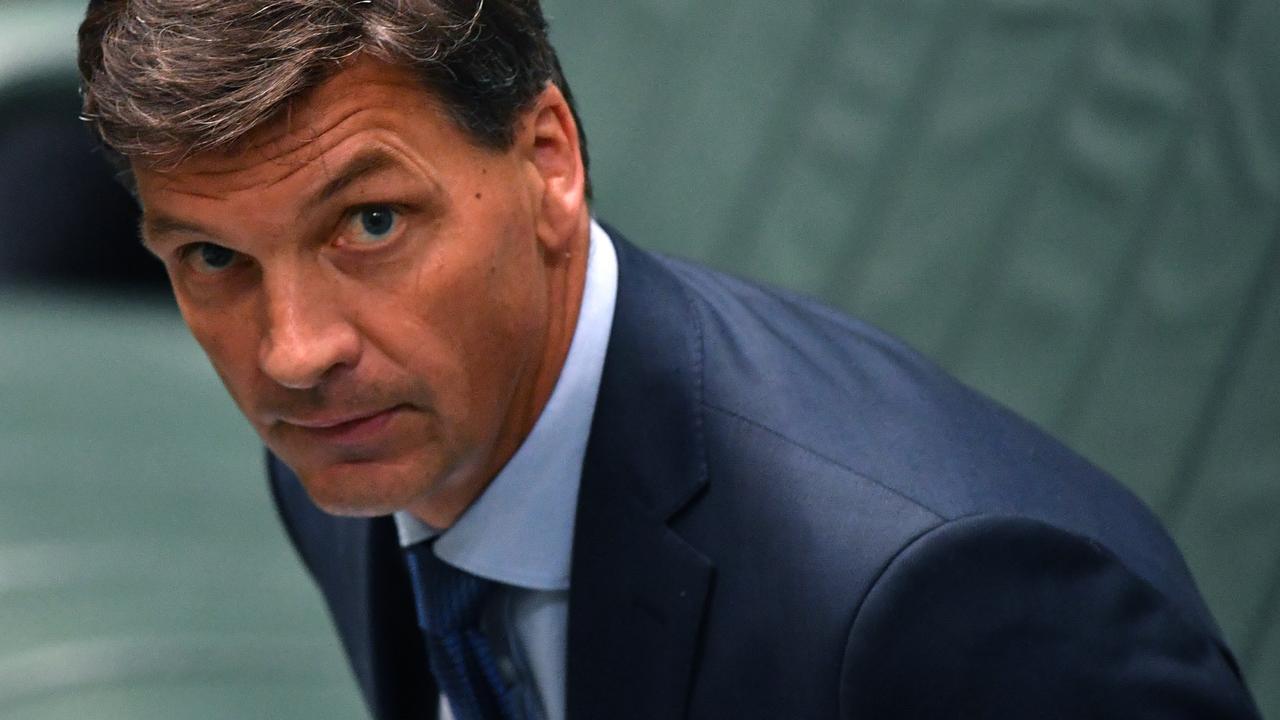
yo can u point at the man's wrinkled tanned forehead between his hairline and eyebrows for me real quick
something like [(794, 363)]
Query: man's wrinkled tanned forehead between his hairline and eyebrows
[(365, 98)]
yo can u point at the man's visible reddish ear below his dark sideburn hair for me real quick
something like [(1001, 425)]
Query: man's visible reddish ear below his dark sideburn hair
[(552, 145)]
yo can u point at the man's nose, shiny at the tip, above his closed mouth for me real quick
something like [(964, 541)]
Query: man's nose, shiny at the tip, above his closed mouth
[(308, 335)]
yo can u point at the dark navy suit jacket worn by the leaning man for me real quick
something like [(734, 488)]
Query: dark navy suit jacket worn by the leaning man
[(787, 514)]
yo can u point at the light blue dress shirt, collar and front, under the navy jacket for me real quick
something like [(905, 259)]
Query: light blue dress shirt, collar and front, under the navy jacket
[(520, 531)]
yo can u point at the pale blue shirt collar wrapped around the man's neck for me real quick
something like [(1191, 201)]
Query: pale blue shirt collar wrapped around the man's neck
[(520, 531)]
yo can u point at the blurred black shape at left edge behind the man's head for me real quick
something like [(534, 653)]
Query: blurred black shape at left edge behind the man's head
[(65, 220)]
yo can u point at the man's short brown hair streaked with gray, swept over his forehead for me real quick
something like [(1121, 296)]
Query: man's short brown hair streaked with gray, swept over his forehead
[(167, 79)]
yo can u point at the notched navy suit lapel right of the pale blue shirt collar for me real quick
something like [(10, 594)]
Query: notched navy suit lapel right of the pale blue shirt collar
[(638, 590)]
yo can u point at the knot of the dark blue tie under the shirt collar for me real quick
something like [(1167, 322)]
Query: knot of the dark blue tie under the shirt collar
[(449, 599)]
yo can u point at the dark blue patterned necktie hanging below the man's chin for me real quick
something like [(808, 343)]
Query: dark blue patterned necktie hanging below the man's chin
[(450, 604)]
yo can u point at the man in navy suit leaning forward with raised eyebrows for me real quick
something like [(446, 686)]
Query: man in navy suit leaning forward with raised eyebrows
[(541, 473)]
